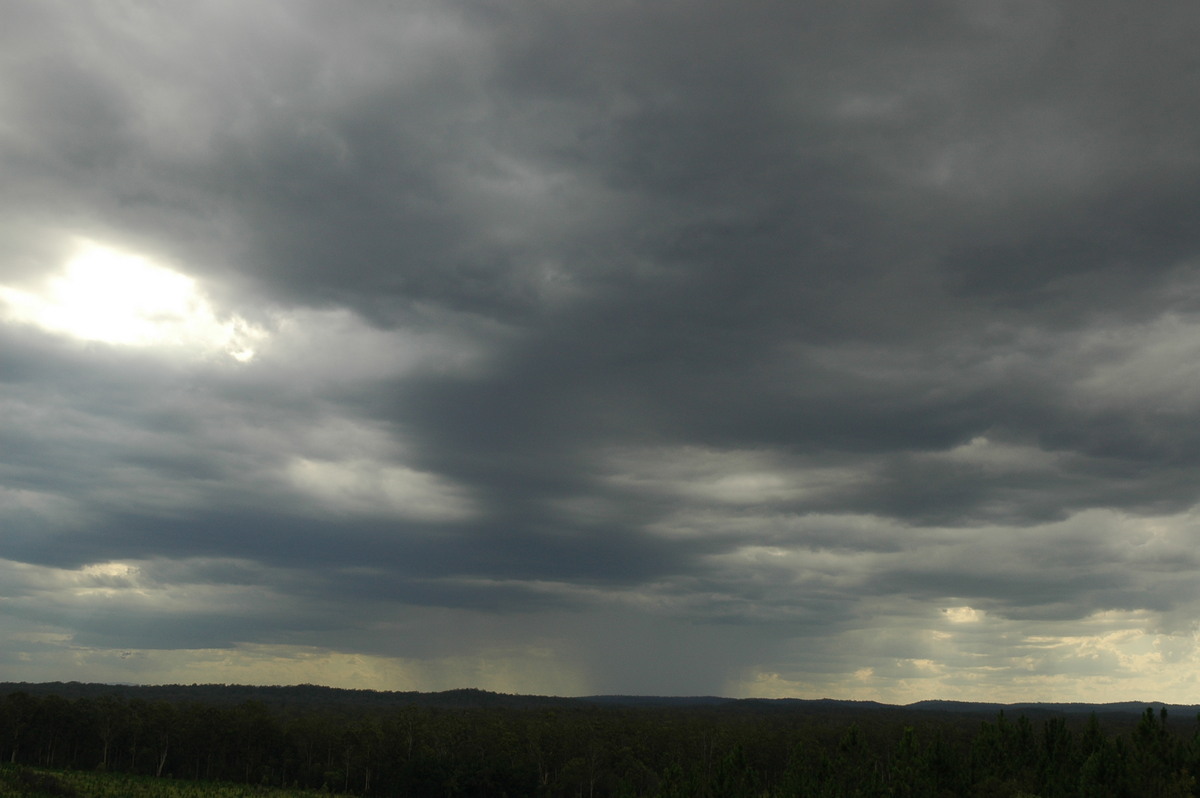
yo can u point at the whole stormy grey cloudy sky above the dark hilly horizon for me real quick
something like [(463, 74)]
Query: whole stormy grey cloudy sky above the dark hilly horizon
[(663, 347)]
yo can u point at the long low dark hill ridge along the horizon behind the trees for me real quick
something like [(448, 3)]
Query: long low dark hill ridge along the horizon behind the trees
[(317, 697)]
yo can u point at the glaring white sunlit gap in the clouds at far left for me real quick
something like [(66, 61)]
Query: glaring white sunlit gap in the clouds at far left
[(113, 297)]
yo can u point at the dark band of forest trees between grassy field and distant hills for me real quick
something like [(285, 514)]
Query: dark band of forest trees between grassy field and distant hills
[(604, 752)]
